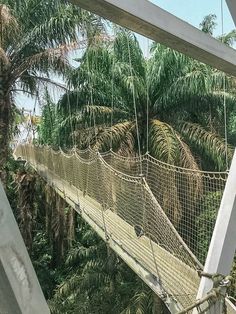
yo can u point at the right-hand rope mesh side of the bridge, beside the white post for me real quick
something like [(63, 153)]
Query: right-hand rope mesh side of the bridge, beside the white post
[(189, 198)]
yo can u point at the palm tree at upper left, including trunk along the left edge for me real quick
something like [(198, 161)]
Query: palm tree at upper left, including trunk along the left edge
[(35, 39)]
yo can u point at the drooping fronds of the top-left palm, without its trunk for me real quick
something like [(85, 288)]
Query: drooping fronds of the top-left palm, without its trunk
[(37, 37)]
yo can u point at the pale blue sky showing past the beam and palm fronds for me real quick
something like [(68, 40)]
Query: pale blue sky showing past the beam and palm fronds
[(191, 11)]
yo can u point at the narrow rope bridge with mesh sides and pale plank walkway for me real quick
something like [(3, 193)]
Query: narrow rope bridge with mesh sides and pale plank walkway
[(161, 219)]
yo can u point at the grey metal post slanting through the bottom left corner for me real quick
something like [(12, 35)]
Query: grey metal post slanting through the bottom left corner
[(20, 292)]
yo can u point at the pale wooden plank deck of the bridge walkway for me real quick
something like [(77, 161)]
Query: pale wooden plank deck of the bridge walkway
[(174, 281)]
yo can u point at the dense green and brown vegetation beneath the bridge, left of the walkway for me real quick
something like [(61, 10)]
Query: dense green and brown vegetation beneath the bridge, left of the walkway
[(78, 272)]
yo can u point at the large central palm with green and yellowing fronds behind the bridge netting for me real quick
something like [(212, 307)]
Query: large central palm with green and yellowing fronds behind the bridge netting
[(181, 98)]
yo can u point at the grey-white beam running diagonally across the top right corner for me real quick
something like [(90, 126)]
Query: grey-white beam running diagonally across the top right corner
[(147, 19)]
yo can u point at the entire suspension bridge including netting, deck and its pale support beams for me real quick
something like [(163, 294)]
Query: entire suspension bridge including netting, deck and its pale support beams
[(158, 218)]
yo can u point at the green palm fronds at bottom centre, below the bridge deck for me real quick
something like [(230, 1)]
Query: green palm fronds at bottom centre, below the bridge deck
[(98, 281)]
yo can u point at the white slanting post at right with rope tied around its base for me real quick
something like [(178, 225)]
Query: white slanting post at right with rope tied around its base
[(223, 244)]
